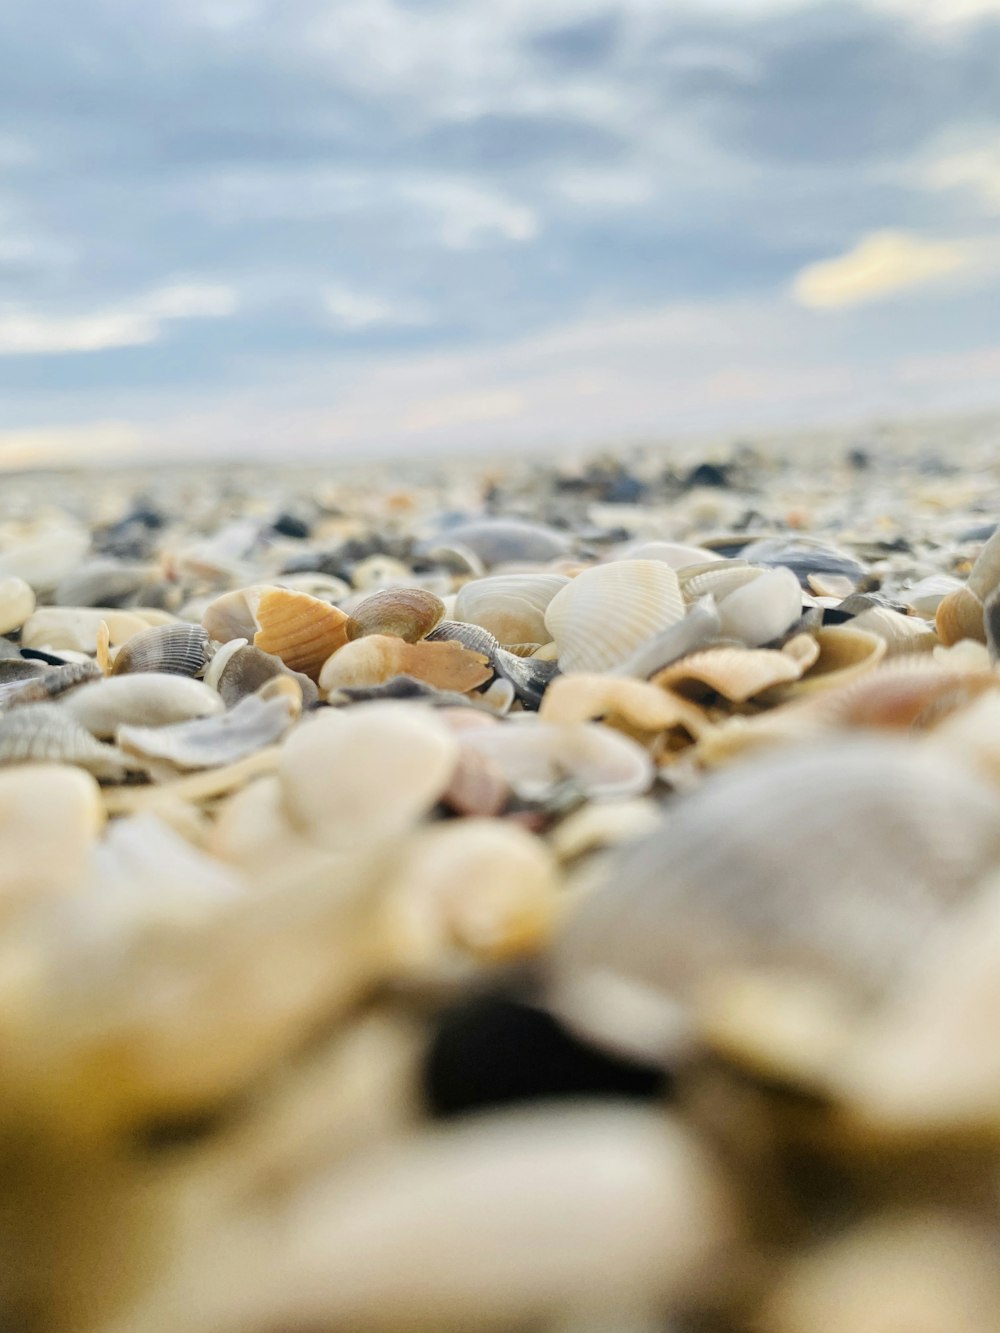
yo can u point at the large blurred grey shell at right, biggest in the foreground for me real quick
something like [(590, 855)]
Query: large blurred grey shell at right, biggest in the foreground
[(905, 836)]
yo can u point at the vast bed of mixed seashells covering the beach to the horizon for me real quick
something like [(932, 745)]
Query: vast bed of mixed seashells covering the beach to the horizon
[(486, 904)]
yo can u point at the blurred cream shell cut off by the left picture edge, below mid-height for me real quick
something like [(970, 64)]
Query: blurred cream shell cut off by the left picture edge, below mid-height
[(50, 819)]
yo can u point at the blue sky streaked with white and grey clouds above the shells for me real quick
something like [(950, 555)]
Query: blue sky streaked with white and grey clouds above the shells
[(275, 229)]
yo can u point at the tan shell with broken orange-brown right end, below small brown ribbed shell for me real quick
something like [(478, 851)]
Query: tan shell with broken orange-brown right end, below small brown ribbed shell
[(378, 658)]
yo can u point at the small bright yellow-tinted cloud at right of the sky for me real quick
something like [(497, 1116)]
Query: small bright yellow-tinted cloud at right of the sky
[(882, 265)]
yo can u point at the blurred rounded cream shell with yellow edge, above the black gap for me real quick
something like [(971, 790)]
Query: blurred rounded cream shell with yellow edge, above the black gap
[(479, 884)]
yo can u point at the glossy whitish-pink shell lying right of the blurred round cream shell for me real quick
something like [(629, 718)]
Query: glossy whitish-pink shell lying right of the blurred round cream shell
[(542, 758)]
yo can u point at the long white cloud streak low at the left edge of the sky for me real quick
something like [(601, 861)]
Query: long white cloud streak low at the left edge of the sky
[(137, 325)]
